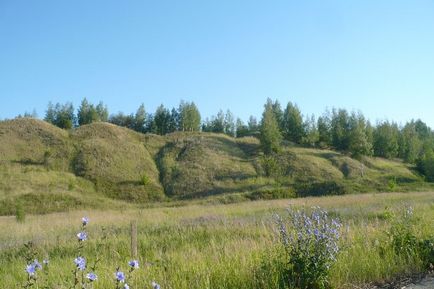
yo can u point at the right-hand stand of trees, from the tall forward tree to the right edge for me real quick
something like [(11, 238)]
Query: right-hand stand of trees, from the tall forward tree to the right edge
[(350, 133)]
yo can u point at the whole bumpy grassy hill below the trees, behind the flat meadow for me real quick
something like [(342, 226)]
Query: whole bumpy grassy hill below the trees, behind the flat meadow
[(44, 168)]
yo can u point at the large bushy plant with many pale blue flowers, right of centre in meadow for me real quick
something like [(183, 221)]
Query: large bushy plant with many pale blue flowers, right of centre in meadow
[(311, 247)]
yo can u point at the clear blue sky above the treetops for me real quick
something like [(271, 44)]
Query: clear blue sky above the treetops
[(369, 55)]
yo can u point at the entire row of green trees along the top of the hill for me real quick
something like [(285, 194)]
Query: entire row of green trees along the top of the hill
[(338, 129)]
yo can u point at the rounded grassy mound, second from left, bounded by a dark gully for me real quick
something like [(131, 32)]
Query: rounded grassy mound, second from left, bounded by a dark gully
[(116, 160)]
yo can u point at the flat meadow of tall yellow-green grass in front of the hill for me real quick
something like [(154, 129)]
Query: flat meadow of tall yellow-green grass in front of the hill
[(215, 246)]
